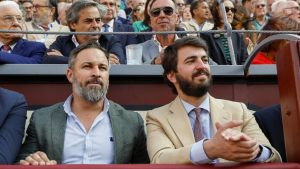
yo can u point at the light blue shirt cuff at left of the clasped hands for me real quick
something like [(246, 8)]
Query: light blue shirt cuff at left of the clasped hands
[(198, 155)]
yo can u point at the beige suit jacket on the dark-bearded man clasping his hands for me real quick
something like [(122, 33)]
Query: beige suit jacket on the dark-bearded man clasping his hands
[(170, 136)]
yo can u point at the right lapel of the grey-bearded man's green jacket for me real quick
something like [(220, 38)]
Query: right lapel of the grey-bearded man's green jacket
[(116, 128)]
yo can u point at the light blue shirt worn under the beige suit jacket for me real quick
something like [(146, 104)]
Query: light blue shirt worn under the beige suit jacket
[(197, 154)]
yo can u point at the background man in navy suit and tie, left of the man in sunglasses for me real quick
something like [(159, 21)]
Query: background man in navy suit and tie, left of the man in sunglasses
[(110, 24)]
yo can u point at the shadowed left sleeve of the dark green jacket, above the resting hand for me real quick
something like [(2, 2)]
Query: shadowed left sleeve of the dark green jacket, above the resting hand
[(31, 142)]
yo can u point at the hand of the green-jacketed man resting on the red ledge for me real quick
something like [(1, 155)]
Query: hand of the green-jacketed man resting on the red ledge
[(37, 158)]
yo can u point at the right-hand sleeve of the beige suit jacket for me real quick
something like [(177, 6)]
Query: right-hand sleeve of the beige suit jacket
[(251, 128)]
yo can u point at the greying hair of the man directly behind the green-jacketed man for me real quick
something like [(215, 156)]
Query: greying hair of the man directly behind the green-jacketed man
[(73, 12)]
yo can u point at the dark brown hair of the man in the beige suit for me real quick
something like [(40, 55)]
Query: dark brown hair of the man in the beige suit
[(170, 58)]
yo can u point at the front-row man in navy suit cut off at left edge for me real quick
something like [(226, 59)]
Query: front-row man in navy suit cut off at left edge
[(13, 109)]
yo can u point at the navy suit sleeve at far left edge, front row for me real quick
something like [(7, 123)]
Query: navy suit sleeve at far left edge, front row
[(12, 131)]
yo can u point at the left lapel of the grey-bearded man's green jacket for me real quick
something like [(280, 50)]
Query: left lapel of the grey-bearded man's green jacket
[(58, 126)]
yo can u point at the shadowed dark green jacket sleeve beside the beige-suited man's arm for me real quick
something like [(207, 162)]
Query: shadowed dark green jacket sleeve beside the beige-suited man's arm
[(140, 154)]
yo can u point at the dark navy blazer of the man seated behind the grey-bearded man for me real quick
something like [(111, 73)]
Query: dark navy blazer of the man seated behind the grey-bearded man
[(65, 45)]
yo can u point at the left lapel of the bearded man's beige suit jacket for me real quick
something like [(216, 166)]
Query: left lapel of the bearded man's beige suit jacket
[(180, 123)]
